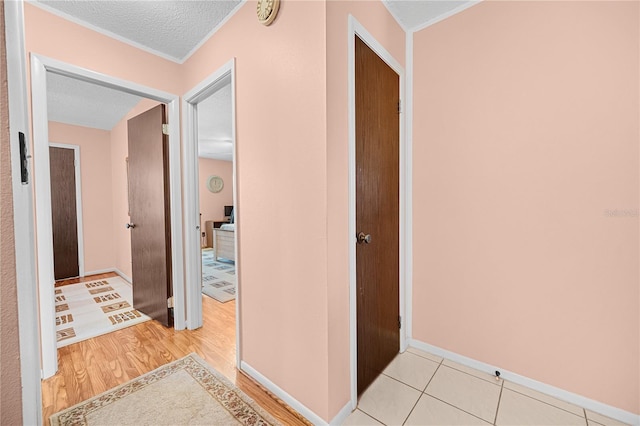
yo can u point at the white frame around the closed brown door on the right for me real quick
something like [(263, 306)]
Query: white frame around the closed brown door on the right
[(357, 29)]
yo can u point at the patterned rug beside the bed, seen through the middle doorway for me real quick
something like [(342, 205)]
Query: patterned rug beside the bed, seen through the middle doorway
[(218, 277)]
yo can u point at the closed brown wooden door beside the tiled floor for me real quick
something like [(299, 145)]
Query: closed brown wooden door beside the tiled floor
[(377, 213)]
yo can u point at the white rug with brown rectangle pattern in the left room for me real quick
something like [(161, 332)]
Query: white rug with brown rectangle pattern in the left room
[(93, 308)]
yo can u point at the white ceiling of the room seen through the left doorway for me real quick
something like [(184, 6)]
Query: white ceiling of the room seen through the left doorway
[(79, 103)]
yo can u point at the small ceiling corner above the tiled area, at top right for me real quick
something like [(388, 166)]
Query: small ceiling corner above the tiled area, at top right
[(417, 14)]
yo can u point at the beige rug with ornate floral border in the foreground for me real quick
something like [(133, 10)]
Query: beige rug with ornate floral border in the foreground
[(184, 392)]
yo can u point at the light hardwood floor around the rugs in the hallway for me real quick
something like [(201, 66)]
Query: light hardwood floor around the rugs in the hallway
[(96, 365)]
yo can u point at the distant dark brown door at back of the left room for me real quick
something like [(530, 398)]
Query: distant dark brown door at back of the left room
[(63, 213)]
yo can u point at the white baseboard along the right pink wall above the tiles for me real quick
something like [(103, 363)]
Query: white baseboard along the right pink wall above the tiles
[(584, 402)]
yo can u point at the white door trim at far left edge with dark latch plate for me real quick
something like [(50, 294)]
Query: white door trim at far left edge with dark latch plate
[(24, 233)]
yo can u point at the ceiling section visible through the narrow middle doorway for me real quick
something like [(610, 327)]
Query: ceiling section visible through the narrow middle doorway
[(214, 125)]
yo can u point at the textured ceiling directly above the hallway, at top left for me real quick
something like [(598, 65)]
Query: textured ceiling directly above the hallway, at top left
[(171, 29)]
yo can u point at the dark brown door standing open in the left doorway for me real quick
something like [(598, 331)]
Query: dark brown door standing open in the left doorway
[(149, 214)]
